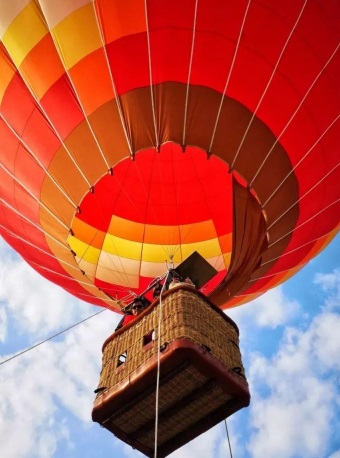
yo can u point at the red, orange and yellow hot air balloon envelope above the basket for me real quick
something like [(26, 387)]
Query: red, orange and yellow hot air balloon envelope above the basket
[(136, 133)]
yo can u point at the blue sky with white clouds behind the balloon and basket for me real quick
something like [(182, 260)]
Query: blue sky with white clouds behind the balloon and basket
[(290, 340)]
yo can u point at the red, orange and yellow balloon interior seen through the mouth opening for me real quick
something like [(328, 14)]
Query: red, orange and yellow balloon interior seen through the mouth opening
[(160, 206)]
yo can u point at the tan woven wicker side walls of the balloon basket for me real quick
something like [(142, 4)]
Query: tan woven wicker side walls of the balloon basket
[(184, 315)]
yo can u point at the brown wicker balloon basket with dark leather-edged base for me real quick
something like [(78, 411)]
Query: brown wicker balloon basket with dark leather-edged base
[(201, 376)]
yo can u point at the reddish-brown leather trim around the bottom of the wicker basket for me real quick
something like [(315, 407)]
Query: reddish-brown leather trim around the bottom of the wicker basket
[(176, 356)]
